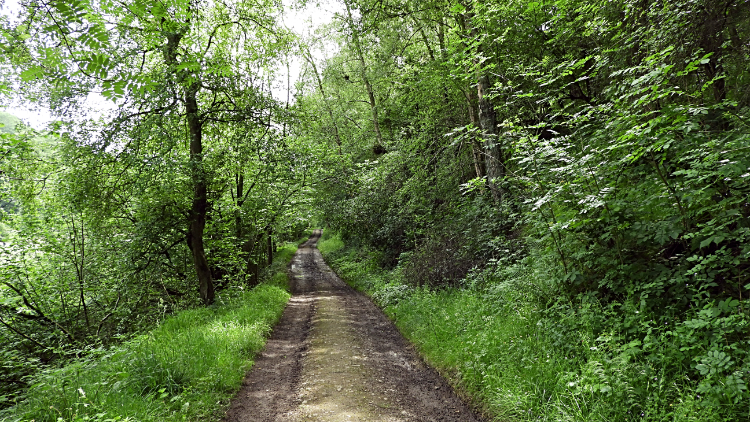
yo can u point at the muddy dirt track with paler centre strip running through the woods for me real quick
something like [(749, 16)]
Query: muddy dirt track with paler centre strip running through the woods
[(335, 357)]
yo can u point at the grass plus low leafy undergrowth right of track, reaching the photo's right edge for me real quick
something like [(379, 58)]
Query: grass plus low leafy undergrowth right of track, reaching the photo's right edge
[(523, 356)]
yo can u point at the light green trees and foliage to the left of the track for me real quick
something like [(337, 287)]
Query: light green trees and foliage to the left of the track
[(96, 212)]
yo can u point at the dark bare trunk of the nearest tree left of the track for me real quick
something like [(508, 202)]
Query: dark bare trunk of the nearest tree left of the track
[(200, 198)]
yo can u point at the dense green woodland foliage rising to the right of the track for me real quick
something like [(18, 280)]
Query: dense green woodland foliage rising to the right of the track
[(602, 143)]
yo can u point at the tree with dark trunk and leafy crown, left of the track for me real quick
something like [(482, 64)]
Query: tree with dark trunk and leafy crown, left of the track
[(187, 61)]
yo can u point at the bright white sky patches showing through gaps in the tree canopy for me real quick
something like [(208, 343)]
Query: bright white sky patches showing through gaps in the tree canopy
[(302, 22)]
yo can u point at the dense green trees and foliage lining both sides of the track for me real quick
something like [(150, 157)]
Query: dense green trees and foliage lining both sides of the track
[(597, 148)]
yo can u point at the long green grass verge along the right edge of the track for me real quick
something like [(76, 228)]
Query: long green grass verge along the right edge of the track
[(518, 361)]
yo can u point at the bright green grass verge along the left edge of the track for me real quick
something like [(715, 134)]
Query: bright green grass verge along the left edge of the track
[(186, 369)]
